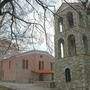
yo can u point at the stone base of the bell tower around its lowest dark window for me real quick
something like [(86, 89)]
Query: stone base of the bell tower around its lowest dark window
[(78, 72)]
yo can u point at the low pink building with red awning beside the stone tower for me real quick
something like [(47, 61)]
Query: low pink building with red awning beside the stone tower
[(26, 67)]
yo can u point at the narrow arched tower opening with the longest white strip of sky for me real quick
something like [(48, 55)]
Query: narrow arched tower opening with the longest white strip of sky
[(61, 48)]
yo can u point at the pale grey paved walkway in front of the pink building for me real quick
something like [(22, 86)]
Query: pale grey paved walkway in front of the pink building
[(18, 86)]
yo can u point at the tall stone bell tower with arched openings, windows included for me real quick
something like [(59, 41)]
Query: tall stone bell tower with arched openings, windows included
[(72, 47)]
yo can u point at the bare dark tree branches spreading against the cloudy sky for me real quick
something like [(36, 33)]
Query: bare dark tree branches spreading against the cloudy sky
[(28, 20)]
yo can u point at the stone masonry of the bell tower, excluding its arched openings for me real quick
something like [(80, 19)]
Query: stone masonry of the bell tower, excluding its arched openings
[(79, 64)]
